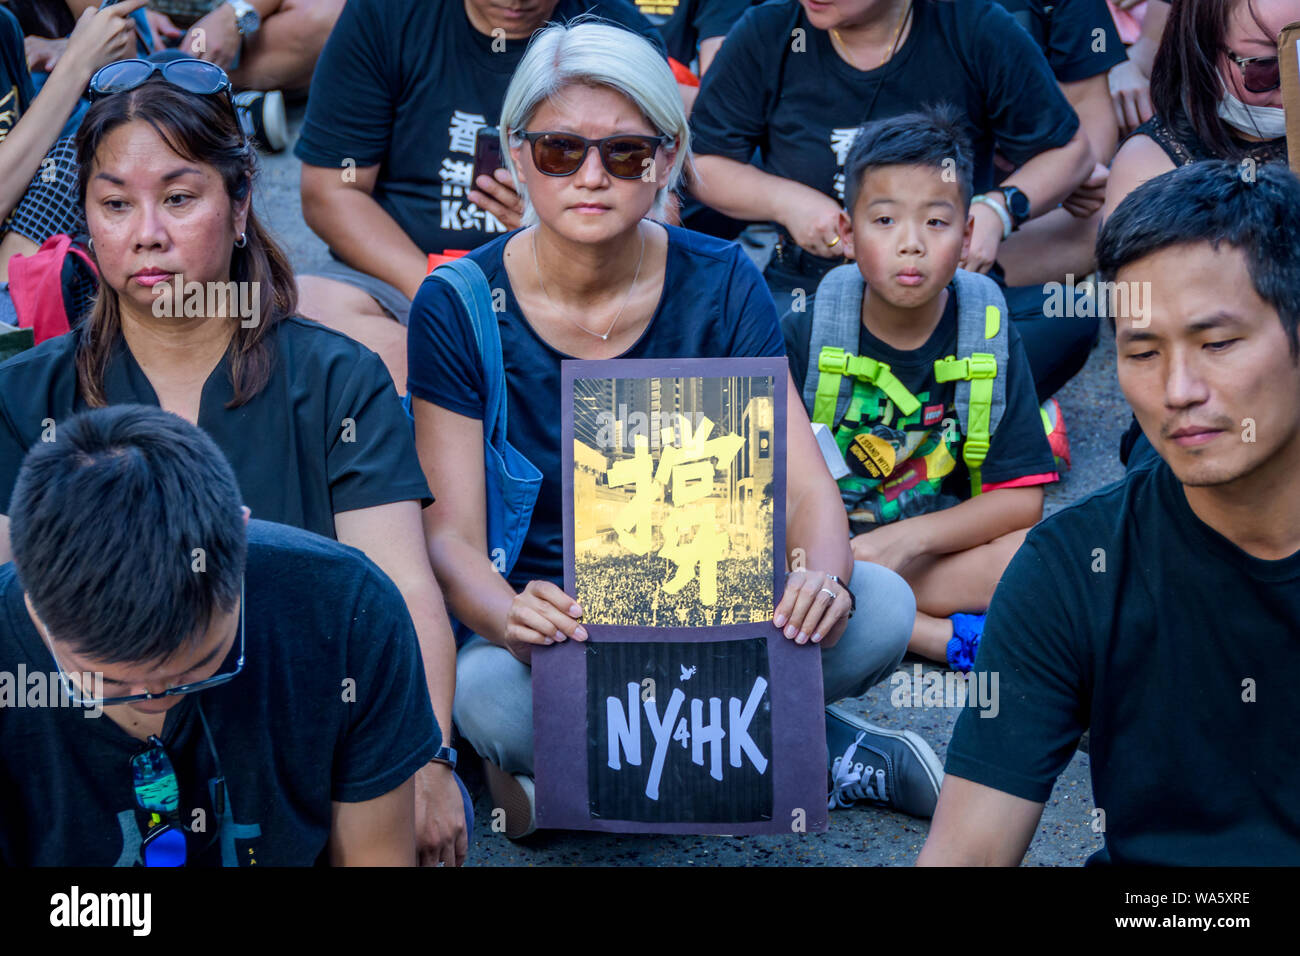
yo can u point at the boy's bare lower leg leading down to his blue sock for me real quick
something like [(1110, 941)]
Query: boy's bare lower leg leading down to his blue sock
[(952, 583)]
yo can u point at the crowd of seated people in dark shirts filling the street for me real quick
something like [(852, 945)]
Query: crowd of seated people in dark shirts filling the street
[(246, 512)]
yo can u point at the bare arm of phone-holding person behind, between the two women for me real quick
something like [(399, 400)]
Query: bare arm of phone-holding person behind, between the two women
[(349, 219)]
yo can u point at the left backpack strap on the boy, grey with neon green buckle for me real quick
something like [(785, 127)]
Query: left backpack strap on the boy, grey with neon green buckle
[(837, 318)]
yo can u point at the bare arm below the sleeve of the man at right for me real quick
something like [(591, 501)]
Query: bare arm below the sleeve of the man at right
[(980, 827)]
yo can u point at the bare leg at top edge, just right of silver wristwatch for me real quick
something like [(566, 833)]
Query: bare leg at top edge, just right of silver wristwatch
[(283, 54)]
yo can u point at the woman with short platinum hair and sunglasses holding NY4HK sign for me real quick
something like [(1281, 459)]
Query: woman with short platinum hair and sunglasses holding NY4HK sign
[(597, 140)]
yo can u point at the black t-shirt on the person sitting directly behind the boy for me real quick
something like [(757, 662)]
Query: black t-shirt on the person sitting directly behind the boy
[(779, 86)]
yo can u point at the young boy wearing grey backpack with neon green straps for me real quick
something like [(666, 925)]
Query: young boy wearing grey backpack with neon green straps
[(905, 414)]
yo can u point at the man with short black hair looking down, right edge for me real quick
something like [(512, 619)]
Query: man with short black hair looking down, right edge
[(1162, 613)]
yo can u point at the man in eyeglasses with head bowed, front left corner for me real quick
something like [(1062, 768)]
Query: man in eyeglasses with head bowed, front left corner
[(265, 689)]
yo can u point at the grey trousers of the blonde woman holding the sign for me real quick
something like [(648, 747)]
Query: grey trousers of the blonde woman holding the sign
[(495, 691)]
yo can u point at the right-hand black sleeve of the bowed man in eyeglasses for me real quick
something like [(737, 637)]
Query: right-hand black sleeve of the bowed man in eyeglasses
[(392, 732)]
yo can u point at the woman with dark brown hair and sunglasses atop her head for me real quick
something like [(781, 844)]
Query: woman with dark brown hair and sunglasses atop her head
[(197, 314)]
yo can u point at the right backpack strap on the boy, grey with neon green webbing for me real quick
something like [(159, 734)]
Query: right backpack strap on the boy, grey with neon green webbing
[(980, 367)]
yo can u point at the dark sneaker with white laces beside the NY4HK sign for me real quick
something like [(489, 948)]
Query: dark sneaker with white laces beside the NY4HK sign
[(886, 768)]
